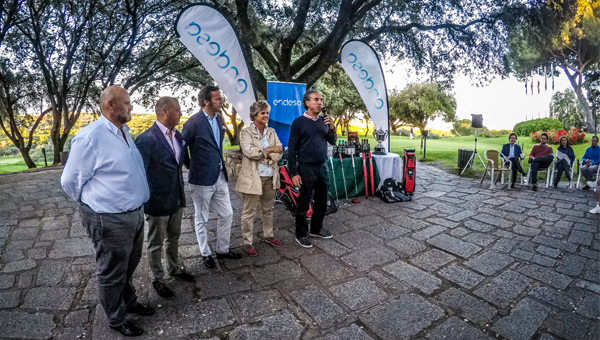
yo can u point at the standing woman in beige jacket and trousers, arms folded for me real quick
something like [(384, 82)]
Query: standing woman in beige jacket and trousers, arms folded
[(259, 175)]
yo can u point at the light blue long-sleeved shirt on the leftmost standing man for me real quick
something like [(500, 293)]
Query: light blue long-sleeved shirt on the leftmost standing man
[(103, 171)]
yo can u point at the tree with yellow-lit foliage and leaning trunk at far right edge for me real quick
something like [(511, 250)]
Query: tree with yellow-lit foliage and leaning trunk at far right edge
[(563, 34)]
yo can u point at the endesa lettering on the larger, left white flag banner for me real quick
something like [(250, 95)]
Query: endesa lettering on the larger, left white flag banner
[(221, 59)]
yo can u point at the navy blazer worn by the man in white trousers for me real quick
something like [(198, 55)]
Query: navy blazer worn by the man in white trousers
[(206, 157)]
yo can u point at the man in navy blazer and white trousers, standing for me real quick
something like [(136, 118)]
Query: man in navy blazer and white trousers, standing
[(203, 134)]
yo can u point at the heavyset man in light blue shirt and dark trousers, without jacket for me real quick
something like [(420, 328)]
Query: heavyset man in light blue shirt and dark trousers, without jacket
[(105, 174)]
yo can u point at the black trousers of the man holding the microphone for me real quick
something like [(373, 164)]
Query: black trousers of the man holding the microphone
[(314, 185)]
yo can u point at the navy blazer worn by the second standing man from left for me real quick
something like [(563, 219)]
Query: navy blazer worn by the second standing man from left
[(164, 174)]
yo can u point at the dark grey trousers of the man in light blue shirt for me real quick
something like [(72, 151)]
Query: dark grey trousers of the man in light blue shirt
[(118, 240)]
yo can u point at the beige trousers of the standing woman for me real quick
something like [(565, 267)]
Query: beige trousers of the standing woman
[(251, 203)]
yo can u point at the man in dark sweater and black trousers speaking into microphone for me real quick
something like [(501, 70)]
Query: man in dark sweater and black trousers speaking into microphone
[(307, 156)]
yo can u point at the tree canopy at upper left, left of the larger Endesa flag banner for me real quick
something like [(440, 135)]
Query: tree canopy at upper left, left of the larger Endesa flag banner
[(77, 48)]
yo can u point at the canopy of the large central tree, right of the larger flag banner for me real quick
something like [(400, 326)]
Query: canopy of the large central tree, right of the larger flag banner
[(298, 41)]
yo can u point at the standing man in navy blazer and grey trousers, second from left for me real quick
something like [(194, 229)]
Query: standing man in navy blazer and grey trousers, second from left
[(161, 147)]
